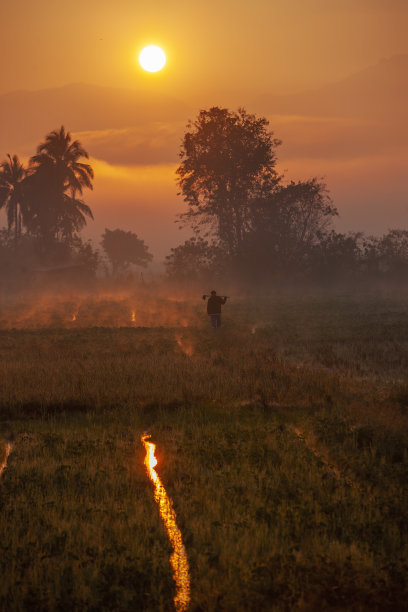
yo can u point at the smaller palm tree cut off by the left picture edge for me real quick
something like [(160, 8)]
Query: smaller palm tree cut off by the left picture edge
[(12, 176)]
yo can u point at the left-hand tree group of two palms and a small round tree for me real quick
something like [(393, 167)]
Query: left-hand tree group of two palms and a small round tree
[(45, 211)]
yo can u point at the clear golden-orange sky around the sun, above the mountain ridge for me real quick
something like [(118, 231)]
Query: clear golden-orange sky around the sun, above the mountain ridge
[(213, 46)]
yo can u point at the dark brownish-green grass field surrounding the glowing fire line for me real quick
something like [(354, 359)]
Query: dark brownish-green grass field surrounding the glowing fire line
[(282, 439)]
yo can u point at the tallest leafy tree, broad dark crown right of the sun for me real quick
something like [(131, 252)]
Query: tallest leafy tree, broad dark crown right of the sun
[(228, 160)]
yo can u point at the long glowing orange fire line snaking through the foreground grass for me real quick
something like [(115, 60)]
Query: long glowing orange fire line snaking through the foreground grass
[(178, 559)]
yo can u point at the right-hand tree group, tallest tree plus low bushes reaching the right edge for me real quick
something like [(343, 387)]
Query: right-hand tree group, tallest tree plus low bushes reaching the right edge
[(250, 226)]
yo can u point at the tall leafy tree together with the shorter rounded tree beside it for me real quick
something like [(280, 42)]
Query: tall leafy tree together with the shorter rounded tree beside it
[(256, 222)]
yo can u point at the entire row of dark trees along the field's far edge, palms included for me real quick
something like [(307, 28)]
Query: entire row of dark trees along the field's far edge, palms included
[(248, 225)]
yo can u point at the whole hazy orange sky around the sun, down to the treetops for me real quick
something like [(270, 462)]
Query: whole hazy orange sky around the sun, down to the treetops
[(227, 53)]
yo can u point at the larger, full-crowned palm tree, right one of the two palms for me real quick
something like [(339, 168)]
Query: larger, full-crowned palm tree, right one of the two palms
[(57, 178)]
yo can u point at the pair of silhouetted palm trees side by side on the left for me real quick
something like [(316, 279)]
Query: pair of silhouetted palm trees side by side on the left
[(45, 197)]
